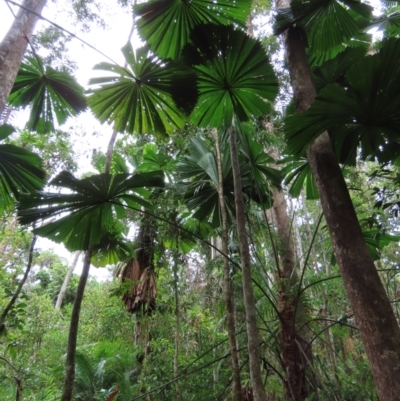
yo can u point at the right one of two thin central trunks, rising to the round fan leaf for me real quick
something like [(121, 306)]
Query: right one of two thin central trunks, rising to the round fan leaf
[(248, 295)]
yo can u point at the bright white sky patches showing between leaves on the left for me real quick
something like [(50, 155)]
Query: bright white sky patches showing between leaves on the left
[(89, 134)]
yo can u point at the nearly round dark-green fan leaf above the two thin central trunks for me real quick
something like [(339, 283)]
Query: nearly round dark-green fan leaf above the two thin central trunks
[(233, 74)]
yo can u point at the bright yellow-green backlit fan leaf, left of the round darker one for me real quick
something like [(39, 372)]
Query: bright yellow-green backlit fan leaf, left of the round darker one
[(139, 98)]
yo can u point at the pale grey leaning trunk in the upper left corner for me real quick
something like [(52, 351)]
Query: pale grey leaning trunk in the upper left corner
[(12, 47)]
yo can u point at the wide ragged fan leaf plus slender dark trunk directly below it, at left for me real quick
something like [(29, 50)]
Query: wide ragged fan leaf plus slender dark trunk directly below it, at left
[(92, 207)]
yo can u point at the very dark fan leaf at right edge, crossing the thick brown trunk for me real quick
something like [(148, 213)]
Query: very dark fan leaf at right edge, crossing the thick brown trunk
[(364, 110)]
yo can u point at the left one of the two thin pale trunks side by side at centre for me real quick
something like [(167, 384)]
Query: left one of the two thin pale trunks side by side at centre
[(229, 300)]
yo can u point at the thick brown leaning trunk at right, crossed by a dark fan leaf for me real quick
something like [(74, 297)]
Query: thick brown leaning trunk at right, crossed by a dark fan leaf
[(373, 312)]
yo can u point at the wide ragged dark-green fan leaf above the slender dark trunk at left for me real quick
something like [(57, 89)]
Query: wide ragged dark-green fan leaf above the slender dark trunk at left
[(92, 207)]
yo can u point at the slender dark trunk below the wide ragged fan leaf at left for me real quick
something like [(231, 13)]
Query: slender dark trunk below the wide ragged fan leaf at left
[(73, 329)]
